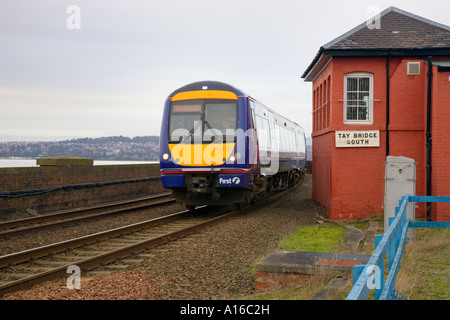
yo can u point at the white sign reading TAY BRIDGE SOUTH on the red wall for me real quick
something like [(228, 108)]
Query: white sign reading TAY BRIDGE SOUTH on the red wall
[(357, 139)]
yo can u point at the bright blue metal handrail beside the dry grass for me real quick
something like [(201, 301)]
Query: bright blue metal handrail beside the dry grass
[(371, 275)]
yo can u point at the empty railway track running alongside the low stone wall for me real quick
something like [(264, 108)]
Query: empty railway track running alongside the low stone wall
[(69, 216)]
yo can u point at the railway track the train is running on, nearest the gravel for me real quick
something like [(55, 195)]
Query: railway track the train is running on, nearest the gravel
[(23, 269)]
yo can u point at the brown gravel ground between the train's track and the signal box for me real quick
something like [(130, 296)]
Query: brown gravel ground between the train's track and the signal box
[(215, 263)]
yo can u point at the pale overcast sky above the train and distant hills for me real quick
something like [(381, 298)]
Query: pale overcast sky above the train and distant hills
[(112, 75)]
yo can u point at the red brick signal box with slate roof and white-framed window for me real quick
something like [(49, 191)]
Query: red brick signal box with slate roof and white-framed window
[(381, 89)]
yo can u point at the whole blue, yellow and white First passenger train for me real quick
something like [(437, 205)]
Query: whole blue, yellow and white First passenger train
[(220, 146)]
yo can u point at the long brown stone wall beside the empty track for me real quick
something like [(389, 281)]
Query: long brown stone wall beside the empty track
[(50, 188)]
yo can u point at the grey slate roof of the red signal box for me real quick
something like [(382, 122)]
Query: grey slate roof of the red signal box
[(396, 32)]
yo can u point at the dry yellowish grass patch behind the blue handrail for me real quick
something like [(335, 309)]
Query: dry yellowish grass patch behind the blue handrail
[(425, 271)]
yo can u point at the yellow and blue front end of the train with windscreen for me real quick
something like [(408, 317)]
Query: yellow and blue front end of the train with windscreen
[(203, 145)]
